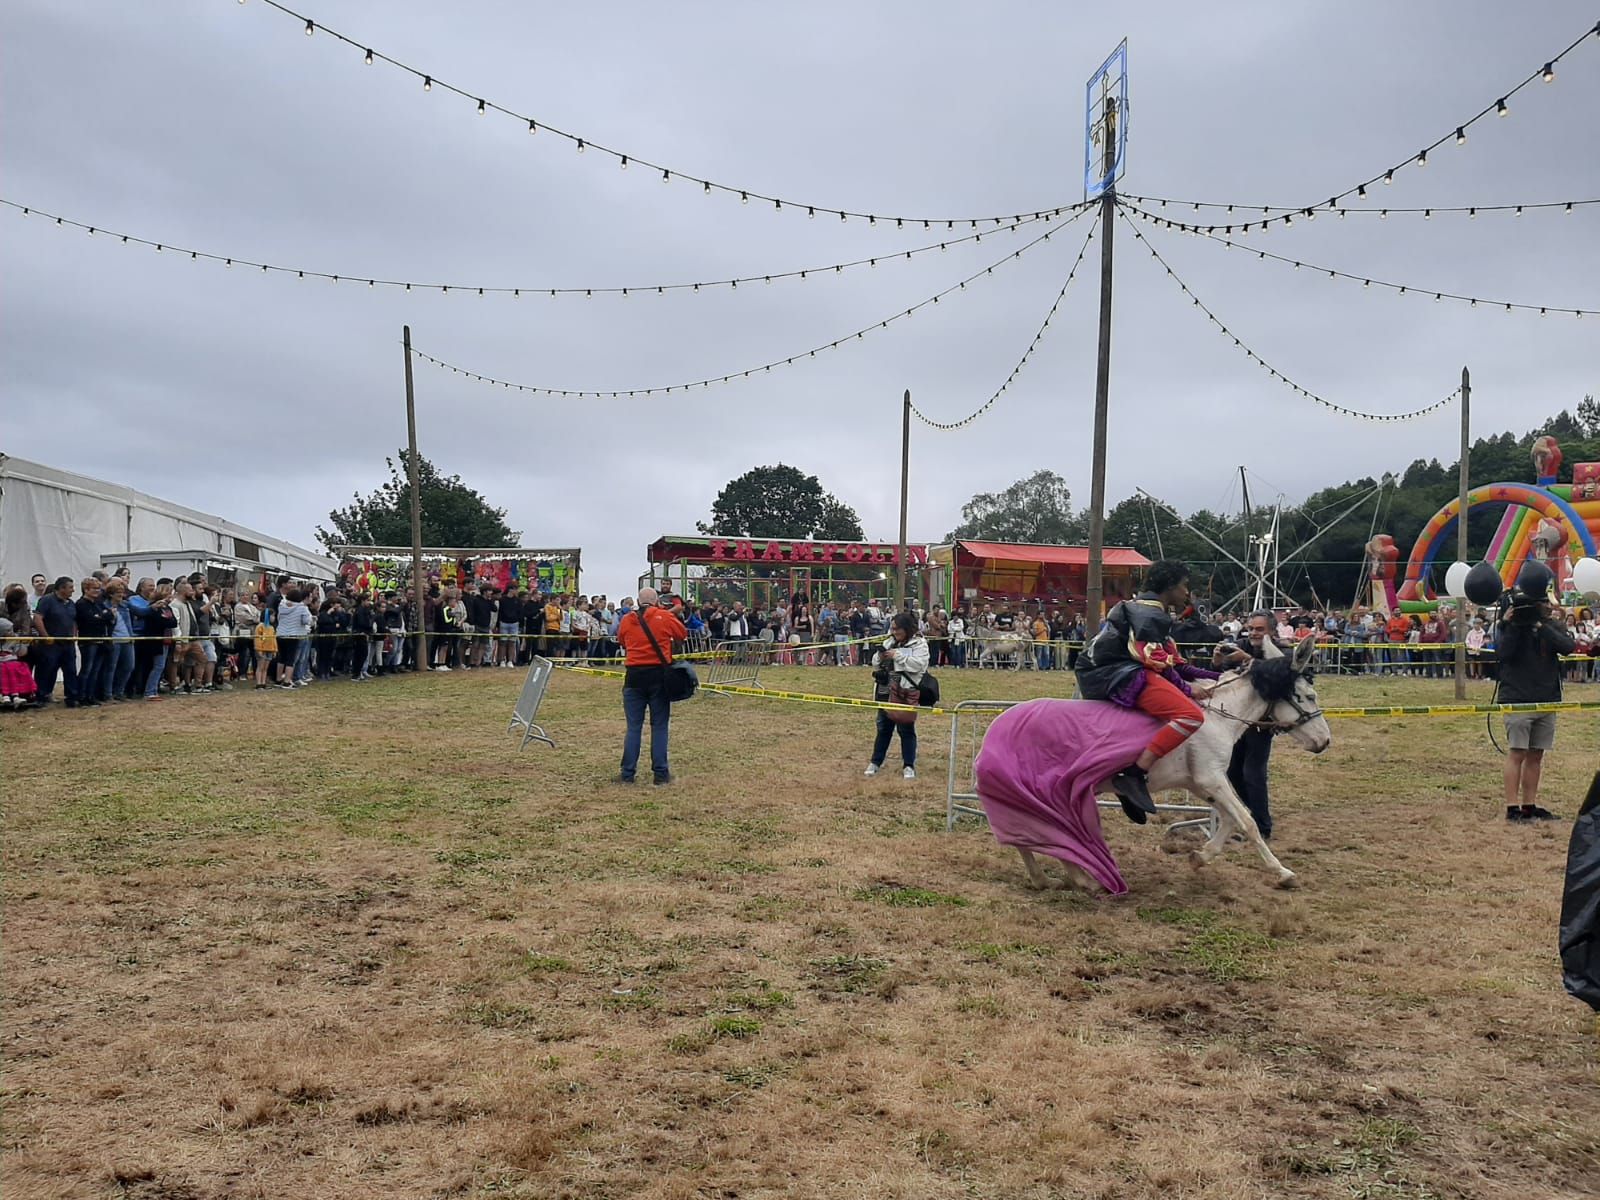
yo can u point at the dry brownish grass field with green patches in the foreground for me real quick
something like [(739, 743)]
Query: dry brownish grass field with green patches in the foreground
[(351, 943)]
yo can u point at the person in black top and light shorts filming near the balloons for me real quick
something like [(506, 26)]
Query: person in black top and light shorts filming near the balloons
[(1530, 641)]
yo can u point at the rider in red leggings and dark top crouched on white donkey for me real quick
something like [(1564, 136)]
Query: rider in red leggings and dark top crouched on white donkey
[(1135, 663)]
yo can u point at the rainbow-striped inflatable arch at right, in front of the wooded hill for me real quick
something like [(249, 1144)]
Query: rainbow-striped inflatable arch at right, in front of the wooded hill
[(1530, 505)]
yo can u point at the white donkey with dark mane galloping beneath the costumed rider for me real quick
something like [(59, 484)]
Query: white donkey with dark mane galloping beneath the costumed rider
[(1274, 694)]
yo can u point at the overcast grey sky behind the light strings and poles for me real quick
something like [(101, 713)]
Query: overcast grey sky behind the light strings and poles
[(270, 401)]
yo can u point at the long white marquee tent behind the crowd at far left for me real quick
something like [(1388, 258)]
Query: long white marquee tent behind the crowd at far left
[(63, 524)]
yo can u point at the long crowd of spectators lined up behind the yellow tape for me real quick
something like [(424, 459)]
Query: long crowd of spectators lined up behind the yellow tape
[(110, 641)]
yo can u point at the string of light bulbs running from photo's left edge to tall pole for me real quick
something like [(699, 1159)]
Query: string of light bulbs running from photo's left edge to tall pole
[(487, 290)]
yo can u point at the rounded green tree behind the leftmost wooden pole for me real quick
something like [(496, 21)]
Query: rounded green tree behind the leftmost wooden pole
[(454, 514)]
